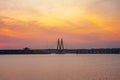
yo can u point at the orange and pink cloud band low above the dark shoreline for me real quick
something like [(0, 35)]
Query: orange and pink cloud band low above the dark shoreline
[(33, 34)]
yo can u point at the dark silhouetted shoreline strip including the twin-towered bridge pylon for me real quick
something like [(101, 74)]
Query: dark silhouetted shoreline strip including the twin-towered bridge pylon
[(60, 49)]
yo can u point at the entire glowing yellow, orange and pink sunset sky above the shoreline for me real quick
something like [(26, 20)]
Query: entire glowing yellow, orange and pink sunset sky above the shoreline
[(39, 23)]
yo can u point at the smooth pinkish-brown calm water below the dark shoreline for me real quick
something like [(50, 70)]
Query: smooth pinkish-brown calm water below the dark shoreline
[(60, 67)]
